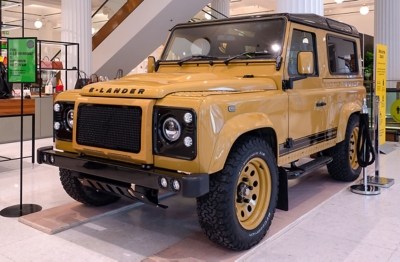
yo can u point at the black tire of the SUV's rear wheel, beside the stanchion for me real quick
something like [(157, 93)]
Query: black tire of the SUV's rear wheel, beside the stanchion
[(340, 168)]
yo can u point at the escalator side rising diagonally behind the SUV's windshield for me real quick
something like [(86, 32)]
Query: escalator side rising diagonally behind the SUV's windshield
[(136, 30)]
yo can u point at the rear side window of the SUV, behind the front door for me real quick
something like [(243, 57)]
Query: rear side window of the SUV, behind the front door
[(342, 56)]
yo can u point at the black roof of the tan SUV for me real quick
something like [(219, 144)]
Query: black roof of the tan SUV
[(312, 20)]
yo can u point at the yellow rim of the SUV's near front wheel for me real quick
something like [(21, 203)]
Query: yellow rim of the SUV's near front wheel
[(253, 193)]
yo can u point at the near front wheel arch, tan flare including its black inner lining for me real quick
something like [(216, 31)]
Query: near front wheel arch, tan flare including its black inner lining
[(259, 126)]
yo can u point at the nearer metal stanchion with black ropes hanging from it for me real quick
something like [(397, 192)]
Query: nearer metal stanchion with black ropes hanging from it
[(363, 143)]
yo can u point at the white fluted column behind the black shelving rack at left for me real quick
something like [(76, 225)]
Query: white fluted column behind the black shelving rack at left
[(76, 27)]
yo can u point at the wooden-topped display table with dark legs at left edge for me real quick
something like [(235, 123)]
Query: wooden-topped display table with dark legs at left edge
[(12, 108)]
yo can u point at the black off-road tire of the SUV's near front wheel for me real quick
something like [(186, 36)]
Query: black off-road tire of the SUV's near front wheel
[(217, 210)]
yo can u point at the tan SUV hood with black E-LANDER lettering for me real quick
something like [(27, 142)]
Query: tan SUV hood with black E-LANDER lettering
[(158, 85)]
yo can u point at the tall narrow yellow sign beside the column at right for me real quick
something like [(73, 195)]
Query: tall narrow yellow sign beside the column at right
[(380, 77)]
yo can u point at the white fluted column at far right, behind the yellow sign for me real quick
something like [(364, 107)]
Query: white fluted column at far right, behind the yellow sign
[(386, 16)]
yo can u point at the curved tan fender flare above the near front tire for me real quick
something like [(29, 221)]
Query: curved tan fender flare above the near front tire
[(230, 132)]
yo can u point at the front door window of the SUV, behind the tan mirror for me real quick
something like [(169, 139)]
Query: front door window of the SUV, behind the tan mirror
[(301, 41)]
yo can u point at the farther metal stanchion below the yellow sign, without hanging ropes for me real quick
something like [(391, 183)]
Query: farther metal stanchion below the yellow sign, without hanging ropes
[(378, 180)]
